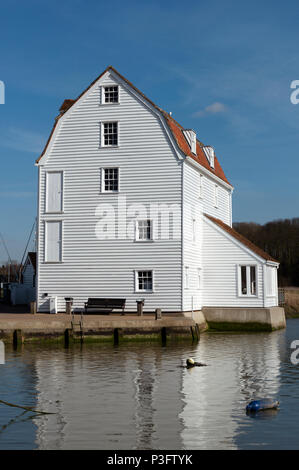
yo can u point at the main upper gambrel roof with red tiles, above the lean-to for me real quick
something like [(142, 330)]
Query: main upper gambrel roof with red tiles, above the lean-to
[(175, 128)]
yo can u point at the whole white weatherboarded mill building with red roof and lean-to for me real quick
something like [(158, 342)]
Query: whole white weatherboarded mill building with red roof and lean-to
[(132, 205)]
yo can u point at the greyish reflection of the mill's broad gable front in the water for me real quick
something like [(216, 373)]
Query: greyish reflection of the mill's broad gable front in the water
[(107, 398)]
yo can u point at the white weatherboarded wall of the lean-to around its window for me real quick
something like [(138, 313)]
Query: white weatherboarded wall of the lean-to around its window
[(221, 257)]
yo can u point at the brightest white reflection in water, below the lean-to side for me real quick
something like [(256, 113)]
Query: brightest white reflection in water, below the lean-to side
[(240, 368)]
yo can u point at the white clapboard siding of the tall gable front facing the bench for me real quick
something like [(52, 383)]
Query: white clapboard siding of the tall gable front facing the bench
[(149, 173)]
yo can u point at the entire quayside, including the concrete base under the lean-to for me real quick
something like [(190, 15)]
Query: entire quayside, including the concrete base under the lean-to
[(22, 328)]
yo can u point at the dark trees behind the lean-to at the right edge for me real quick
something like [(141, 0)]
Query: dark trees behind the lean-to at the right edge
[(279, 238)]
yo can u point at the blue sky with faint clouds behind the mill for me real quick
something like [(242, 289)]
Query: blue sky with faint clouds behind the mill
[(222, 68)]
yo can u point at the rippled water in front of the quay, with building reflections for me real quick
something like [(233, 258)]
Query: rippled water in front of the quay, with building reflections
[(136, 396)]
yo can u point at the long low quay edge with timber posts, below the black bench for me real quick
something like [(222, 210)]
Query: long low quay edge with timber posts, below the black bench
[(110, 328)]
